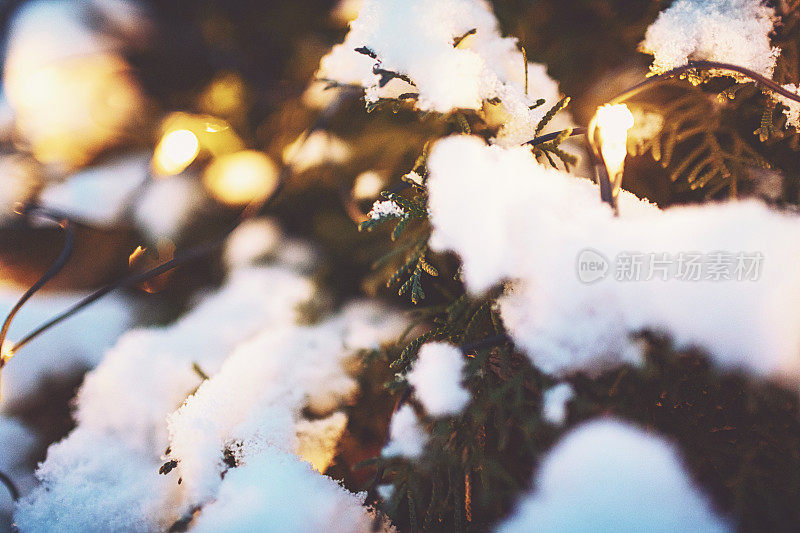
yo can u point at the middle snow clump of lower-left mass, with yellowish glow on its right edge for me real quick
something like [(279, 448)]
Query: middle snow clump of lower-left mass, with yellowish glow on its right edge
[(259, 395)]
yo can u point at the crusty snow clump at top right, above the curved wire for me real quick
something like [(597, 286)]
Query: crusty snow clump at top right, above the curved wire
[(728, 31)]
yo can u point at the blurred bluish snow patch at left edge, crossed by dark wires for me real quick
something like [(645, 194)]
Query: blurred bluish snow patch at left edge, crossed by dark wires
[(68, 349)]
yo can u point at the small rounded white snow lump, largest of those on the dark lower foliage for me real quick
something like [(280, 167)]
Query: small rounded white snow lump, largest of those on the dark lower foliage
[(437, 379)]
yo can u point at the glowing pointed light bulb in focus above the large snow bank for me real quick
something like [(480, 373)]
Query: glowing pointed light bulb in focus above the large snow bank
[(608, 135)]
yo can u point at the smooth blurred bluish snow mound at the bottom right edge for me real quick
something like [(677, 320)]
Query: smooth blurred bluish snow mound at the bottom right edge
[(609, 476)]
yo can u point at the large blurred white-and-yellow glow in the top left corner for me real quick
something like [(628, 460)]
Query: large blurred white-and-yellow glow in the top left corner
[(72, 92)]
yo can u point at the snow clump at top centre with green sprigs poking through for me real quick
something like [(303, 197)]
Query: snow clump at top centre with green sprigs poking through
[(416, 38)]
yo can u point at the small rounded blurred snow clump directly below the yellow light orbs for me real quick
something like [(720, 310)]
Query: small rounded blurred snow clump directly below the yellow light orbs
[(168, 206)]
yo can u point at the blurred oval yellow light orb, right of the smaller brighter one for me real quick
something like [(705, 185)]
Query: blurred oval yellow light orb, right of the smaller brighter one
[(240, 178)]
